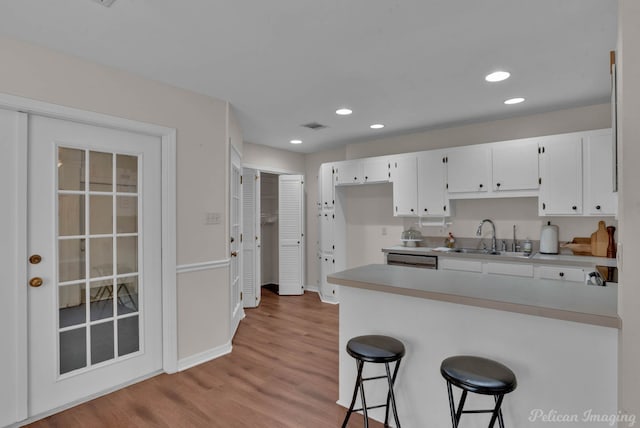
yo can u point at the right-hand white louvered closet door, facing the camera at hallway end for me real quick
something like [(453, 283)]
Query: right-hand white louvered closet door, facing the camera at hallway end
[(291, 234)]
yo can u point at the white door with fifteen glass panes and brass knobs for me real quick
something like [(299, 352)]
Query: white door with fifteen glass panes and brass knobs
[(94, 223)]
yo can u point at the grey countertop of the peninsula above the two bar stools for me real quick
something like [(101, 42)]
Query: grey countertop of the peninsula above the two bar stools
[(547, 298)]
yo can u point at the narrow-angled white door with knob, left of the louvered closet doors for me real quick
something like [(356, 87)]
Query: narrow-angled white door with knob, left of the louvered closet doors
[(235, 226)]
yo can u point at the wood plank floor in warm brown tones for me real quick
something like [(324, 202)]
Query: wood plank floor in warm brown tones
[(282, 373)]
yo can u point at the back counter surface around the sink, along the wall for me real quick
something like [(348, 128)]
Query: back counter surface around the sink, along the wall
[(538, 258)]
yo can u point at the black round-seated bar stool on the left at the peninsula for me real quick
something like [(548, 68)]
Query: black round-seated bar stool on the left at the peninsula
[(375, 349)]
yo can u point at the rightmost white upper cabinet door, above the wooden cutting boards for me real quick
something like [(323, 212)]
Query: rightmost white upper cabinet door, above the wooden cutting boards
[(598, 174)]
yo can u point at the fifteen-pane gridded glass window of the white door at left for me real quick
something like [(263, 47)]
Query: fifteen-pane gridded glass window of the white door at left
[(98, 239)]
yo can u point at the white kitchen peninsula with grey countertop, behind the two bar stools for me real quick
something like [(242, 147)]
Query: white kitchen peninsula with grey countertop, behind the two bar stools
[(560, 339)]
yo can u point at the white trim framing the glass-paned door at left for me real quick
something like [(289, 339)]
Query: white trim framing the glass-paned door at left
[(168, 141)]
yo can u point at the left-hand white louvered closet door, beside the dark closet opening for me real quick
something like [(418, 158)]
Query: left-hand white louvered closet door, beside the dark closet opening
[(251, 279)]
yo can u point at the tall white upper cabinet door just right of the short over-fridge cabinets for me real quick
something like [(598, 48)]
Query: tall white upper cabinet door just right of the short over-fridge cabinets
[(405, 186)]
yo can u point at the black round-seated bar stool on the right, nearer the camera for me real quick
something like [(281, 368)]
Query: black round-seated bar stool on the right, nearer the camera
[(481, 376)]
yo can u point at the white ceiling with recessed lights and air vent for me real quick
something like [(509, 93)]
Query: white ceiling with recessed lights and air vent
[(410, 64)]
